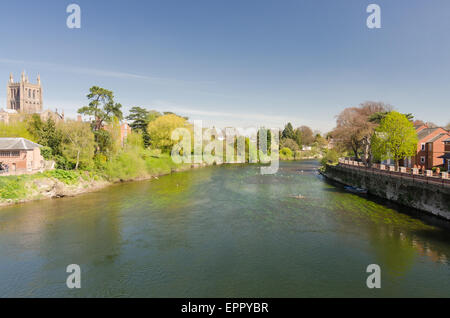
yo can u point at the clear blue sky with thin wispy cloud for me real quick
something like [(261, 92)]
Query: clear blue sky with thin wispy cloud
[(235, 63)]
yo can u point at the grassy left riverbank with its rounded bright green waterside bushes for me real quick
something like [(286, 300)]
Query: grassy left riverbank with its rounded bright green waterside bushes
[(60, 183)]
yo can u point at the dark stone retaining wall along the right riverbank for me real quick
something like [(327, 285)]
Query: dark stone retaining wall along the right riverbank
[(432, 198)]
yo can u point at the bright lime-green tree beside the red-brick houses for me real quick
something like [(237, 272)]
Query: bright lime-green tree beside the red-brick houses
[(395, 138)]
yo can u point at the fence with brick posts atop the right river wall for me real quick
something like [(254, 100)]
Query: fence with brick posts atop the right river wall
[(428, 177)]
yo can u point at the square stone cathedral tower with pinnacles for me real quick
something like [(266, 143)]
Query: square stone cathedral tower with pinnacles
[(24, 97)]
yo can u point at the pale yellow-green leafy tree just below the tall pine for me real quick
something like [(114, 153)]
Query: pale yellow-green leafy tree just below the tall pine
[(79, 143)]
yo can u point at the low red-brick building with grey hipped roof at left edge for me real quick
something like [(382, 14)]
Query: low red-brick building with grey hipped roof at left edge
[(20, 155)]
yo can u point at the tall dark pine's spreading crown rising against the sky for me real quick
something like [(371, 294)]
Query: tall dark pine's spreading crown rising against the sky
[(101, 106)]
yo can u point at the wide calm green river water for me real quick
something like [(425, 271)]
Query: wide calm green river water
[(222, 232)]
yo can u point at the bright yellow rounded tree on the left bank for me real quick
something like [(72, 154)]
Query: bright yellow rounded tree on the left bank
[(160, 131)]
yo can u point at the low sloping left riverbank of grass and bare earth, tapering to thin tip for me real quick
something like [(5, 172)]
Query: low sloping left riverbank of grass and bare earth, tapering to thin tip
[(66, 183)]
